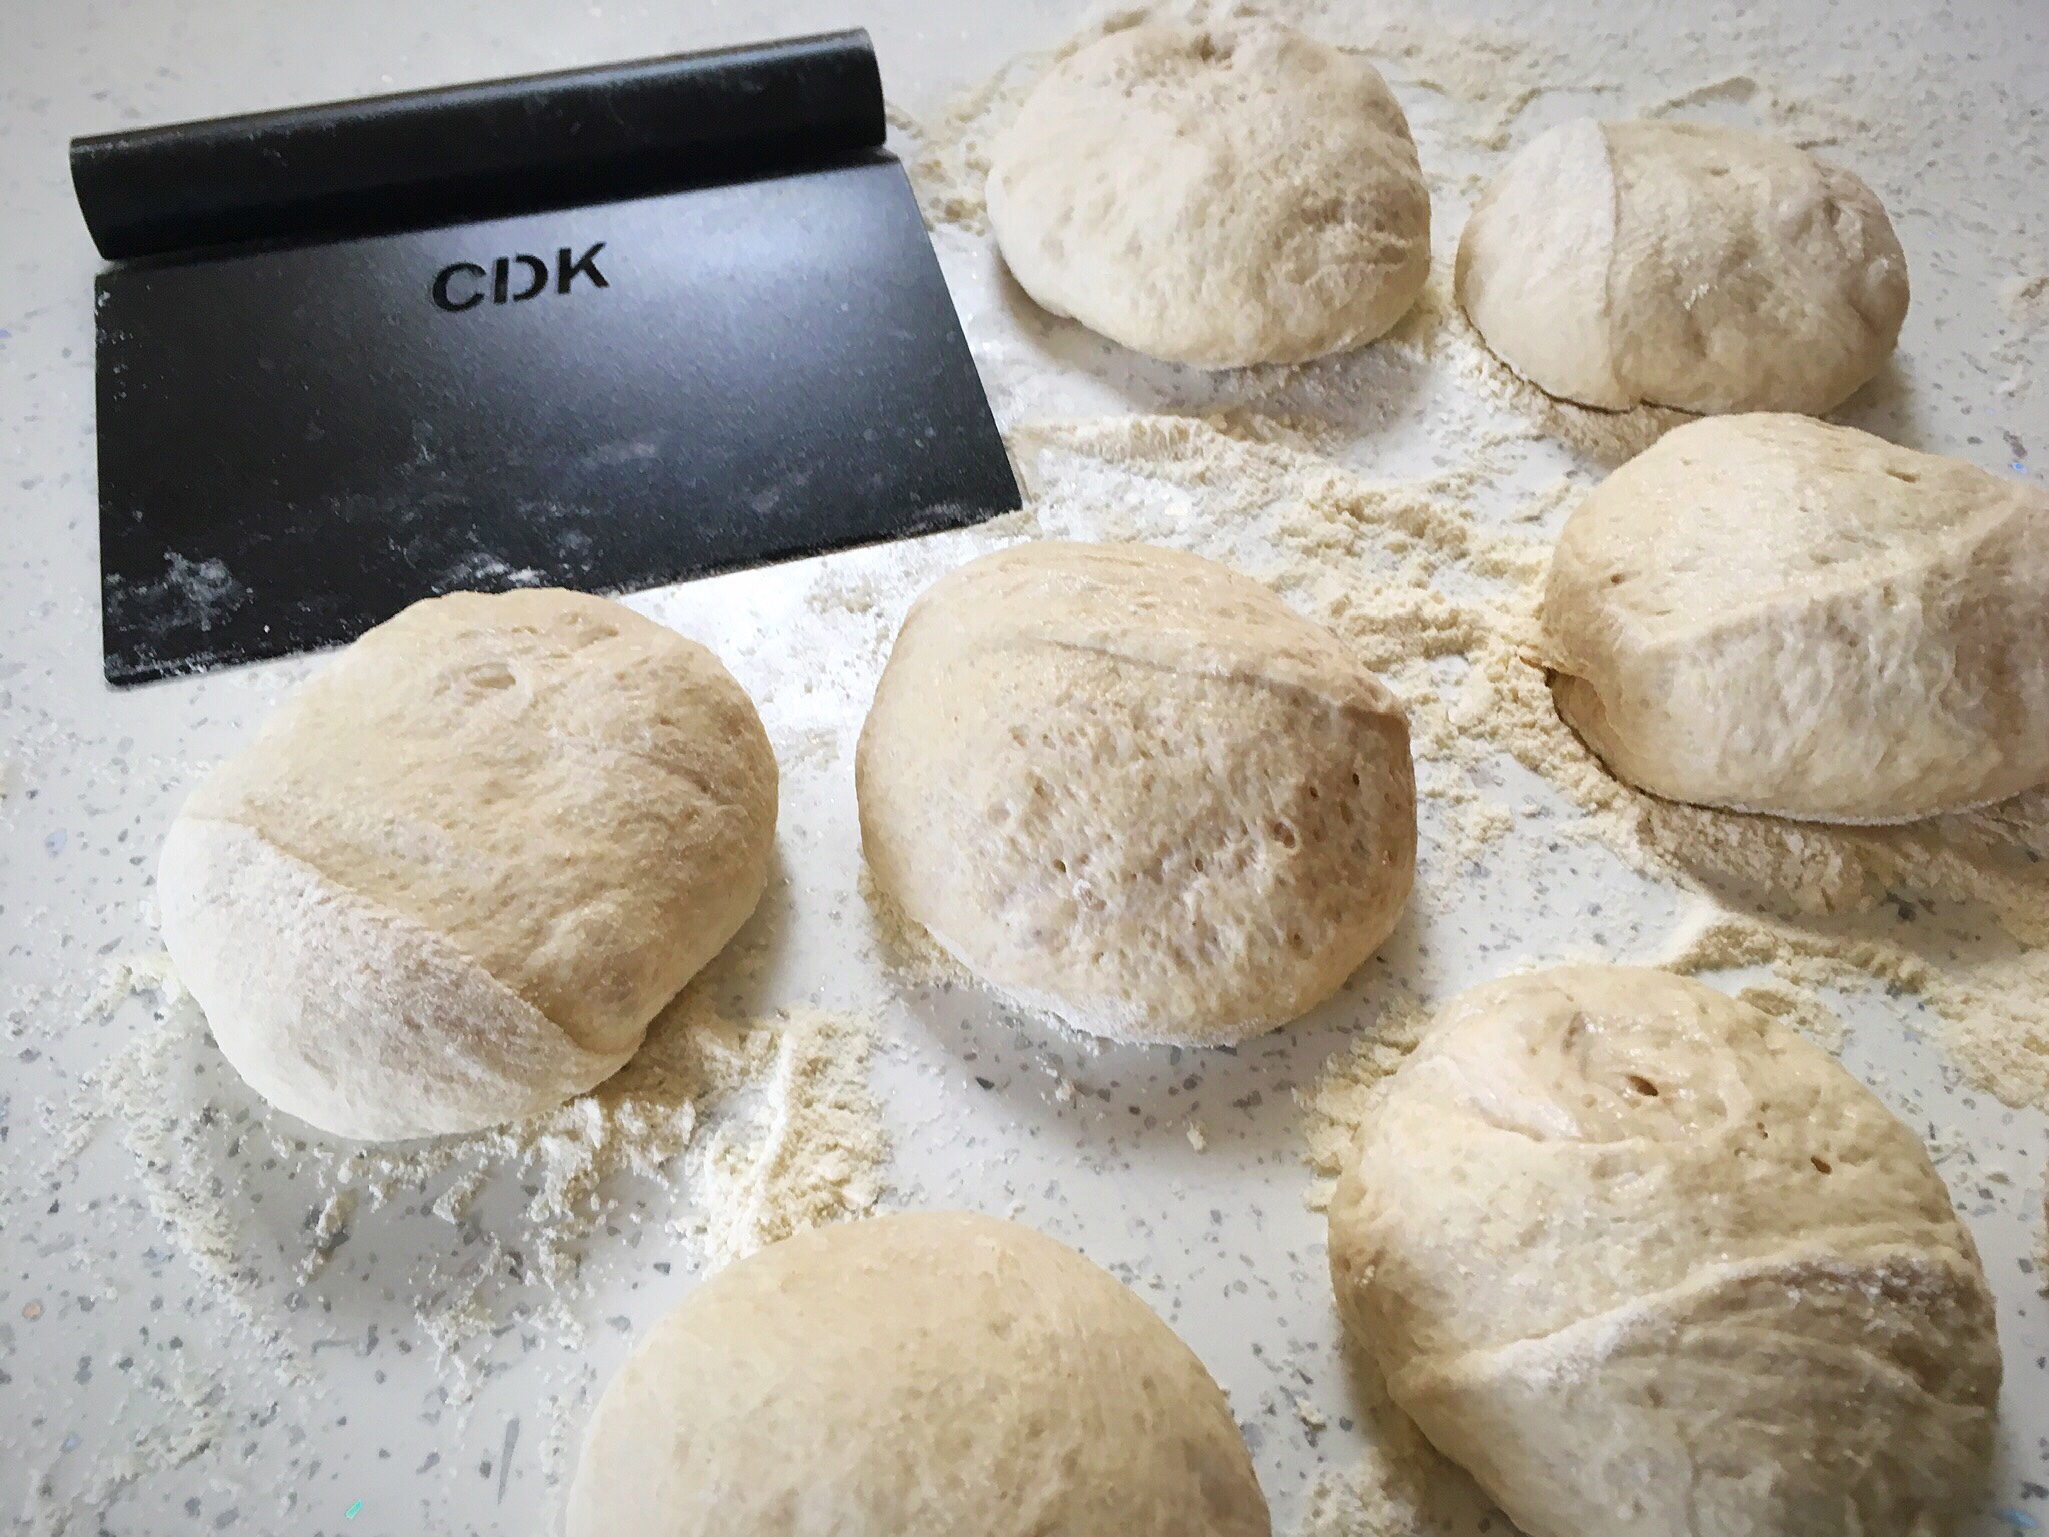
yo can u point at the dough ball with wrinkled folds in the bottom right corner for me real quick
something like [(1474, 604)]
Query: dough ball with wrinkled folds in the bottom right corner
[(1650, 1265)]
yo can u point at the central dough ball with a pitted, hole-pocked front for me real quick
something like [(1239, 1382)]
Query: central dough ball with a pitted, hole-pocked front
[(1136, 790)]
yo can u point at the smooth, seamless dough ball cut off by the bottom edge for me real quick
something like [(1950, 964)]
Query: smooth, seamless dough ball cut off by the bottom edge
[(915, 1376)]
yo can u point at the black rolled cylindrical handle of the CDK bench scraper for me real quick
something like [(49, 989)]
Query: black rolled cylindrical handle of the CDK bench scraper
[(483, 153)]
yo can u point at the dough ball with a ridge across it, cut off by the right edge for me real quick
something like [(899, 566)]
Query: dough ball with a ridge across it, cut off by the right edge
[(1782, 616)]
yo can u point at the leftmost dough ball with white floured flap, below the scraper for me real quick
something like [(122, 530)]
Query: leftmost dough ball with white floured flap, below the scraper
[(462, 870)]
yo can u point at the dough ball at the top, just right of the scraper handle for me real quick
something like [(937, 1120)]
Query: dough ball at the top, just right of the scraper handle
[(1222, 196)]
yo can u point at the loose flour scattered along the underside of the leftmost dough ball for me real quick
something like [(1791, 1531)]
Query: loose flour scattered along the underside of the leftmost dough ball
[(776, 1116)]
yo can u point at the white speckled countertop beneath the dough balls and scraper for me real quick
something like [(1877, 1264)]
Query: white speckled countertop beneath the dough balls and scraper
[(132, 1401)]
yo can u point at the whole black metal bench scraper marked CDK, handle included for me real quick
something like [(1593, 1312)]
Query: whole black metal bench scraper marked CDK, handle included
[(603, 329)]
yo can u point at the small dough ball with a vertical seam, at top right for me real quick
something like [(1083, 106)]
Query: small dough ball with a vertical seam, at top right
[(1683, 265)]
